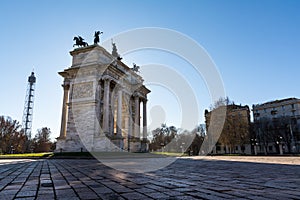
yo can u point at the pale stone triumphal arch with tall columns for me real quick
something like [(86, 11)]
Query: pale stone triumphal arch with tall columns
[(104, 104)]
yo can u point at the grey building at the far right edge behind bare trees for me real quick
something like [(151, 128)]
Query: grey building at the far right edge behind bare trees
[(277, 126)]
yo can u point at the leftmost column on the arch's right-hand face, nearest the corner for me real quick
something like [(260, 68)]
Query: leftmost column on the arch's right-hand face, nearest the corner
[(106, 106)]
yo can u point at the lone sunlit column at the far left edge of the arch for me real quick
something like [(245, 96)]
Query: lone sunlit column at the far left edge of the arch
[(63, 127)]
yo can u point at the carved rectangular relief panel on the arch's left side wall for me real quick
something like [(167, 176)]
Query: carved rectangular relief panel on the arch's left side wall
[(82, 90)]
